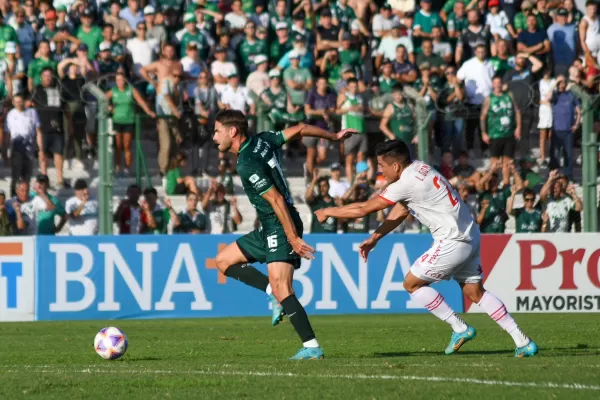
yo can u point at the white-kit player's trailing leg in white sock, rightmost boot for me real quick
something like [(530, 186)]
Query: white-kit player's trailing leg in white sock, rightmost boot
[(496, 309)]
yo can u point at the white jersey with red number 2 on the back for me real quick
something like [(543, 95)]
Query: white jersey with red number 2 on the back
[(433, 201)]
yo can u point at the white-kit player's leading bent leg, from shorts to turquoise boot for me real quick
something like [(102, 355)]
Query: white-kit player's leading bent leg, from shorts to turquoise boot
[(437, 264)]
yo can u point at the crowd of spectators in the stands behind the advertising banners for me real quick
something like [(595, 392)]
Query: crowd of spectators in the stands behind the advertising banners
[(488, 79)]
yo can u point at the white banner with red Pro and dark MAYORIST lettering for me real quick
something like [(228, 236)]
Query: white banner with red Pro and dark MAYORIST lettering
[(542, 272)]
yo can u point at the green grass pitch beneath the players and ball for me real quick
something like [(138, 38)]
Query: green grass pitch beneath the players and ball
[(374, 357)]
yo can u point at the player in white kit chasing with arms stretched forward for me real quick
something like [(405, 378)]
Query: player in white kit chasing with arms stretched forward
[(415, 188)]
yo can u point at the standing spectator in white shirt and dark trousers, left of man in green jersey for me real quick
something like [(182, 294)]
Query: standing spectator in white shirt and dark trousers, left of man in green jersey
[(476, 74)]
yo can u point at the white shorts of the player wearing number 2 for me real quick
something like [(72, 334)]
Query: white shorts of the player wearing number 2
[(450, 259)]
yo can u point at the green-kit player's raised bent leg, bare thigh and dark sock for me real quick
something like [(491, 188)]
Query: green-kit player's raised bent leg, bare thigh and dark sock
[(232, 262)]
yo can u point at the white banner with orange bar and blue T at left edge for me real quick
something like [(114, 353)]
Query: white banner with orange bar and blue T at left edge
[(17, 283)]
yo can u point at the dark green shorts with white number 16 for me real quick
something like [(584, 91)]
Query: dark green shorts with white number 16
[(268, 243)]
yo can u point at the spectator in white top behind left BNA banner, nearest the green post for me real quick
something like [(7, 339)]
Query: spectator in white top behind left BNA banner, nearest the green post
[(82, 212)]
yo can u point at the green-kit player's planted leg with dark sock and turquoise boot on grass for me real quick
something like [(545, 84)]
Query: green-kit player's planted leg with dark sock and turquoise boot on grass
[(281, 276)]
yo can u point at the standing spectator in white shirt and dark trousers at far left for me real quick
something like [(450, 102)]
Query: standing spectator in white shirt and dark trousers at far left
[(23, 126)]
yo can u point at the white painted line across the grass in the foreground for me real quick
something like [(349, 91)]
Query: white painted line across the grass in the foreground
[(474, 381)]
